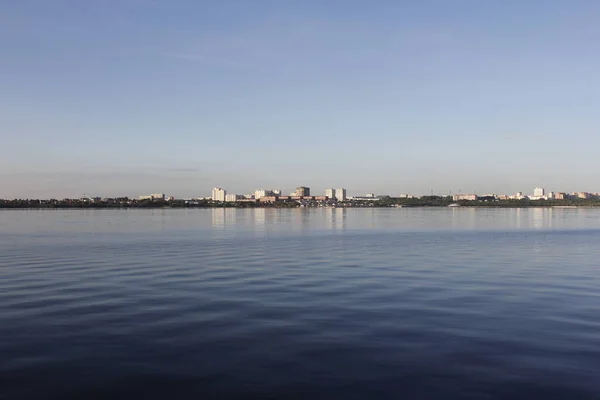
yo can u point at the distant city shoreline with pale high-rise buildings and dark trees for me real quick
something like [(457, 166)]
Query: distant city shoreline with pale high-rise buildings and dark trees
[(332, 197)]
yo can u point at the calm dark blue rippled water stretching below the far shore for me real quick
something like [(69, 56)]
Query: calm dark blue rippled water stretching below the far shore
[(326, 303)]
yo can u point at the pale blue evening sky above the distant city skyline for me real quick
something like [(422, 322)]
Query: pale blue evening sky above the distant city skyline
[(130, 97)]
